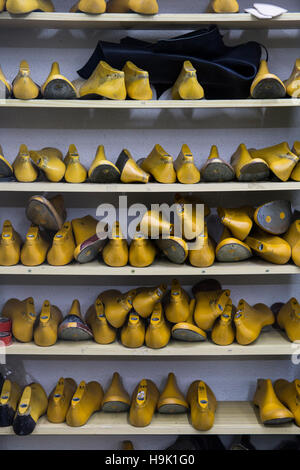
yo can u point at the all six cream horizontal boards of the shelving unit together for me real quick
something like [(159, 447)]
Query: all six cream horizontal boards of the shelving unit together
[(231, 417)]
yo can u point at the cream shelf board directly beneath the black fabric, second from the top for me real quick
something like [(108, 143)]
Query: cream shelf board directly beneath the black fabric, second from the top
[(155, 104)]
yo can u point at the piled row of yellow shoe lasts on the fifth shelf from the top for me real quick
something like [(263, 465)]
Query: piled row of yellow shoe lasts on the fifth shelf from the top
[(152, 316)]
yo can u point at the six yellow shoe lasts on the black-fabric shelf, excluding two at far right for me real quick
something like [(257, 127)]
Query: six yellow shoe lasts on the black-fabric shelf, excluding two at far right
[(105, 82)]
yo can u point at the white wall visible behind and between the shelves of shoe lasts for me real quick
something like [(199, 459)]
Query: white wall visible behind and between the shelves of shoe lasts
[(231, 379)]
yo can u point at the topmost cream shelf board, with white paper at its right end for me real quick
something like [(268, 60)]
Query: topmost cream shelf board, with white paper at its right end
[(170, 21)]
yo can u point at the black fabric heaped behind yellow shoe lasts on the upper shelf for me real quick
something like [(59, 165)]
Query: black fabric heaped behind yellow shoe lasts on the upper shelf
[(224, 72)]
